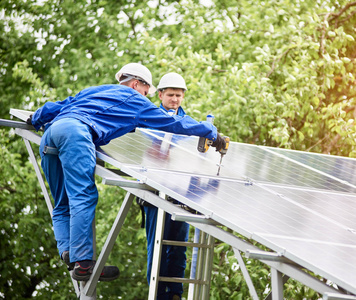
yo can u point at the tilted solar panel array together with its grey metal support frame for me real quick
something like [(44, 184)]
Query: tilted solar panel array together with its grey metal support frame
[(300, 205)]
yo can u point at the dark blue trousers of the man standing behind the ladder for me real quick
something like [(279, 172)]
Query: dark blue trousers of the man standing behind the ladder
[(173, 259)]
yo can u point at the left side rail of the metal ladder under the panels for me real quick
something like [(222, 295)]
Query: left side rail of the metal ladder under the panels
[(156, 260)]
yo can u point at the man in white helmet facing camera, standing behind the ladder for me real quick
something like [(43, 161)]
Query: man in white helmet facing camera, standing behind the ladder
[(171, 91)]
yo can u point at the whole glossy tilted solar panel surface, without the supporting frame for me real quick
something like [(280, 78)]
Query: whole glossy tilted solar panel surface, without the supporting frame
[(298, 204)]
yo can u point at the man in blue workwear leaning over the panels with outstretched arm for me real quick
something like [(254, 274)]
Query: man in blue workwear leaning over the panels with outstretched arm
[(75, 126)]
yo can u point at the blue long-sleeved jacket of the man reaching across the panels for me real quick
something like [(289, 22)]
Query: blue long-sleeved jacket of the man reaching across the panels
[(114, 110)]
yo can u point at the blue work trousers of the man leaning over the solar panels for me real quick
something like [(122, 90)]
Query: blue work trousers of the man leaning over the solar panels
[(70, 176)]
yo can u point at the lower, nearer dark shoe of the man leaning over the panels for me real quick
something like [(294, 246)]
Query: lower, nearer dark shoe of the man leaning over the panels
[(84, 269)]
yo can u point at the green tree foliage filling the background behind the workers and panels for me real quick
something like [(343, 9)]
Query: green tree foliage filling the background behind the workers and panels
[(278, 73)]
